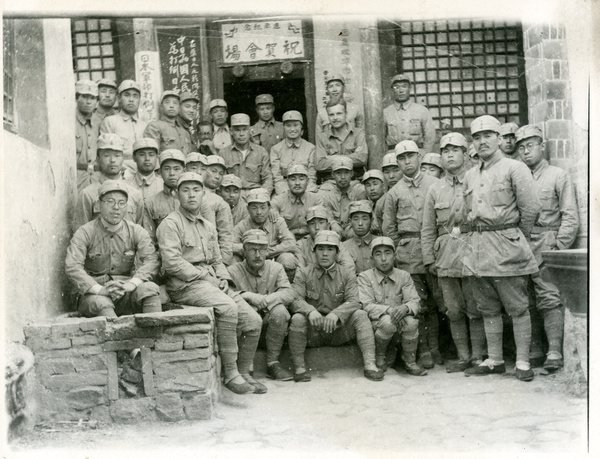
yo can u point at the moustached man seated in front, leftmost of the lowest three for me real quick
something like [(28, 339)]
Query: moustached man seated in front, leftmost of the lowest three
[(265, 286)]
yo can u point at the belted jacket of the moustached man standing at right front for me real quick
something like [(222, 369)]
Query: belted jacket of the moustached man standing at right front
[(500, 192)]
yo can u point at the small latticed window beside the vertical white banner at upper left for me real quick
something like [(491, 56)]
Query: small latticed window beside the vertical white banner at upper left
[(94, 49)]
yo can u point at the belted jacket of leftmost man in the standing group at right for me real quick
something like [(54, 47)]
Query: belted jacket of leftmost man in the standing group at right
[(404, 215)]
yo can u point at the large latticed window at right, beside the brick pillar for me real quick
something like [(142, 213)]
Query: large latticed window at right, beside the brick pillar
[(465, 69)]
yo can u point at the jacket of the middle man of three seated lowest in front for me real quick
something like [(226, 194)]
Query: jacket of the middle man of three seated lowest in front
[(333, 290)]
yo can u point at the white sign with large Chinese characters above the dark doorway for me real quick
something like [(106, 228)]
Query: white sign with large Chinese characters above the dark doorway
[(262, 41)]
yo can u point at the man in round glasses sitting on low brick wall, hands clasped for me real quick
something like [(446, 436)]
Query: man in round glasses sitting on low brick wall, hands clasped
[(101, 266)]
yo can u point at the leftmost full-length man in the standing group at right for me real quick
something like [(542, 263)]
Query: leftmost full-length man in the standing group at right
[(402, 222)]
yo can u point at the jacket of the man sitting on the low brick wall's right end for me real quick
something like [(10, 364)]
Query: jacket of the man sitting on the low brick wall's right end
[(189, 249)]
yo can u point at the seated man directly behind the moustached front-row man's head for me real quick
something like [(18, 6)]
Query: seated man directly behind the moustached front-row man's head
[(282, 244)]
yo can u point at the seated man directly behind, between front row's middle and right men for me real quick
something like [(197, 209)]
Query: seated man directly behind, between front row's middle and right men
[(359, 245)]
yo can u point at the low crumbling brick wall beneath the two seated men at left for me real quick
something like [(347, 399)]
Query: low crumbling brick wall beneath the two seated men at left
[(85, 370)]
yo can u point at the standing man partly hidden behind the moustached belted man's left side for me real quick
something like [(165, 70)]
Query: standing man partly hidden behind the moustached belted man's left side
[(444, 241)]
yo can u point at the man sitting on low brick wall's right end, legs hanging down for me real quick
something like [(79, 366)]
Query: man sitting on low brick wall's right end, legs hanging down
[(191, 259)]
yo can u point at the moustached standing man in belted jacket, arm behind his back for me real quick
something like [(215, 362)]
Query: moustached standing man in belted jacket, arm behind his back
[(502, 207)]
